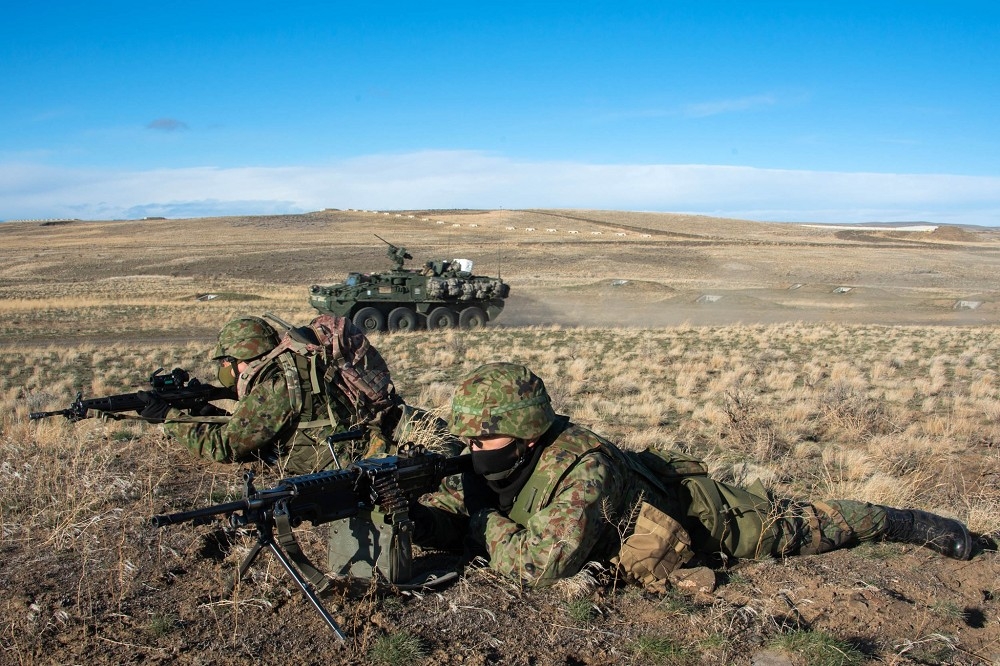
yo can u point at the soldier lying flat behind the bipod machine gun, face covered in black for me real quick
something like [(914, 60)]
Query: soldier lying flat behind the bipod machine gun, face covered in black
[(547, 496)]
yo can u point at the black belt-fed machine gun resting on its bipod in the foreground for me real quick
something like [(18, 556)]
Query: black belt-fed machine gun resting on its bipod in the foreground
[(389, 483)]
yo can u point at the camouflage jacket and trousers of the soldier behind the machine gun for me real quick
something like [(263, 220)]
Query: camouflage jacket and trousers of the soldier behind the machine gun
[(581, 499)]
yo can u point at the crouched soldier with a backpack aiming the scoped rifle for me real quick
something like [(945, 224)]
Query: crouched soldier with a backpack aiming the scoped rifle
[(291, 397)]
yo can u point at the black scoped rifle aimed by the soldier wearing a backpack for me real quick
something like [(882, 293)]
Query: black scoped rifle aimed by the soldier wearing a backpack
[(178, 389)]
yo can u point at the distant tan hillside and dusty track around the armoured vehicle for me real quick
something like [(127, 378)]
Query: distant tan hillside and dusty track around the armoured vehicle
[(571, 268)]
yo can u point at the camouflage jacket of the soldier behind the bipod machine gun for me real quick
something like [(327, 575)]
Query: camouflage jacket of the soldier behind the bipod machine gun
[(574, 509)]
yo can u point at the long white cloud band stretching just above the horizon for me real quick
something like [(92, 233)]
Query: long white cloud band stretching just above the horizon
[(459, 179)]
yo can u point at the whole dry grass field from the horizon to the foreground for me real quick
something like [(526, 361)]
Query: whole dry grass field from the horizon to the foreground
[(827, 362)]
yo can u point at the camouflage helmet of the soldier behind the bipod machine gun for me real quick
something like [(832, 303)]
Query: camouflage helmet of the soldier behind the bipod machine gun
[(501, 399)]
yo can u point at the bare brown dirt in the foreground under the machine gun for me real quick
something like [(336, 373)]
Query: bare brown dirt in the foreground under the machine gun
[(165, 602)]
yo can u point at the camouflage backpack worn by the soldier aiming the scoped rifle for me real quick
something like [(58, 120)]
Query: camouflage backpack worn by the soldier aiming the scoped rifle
[(332, 357)]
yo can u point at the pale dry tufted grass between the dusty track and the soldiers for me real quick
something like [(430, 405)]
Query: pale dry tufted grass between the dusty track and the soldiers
[(852, 431)]
